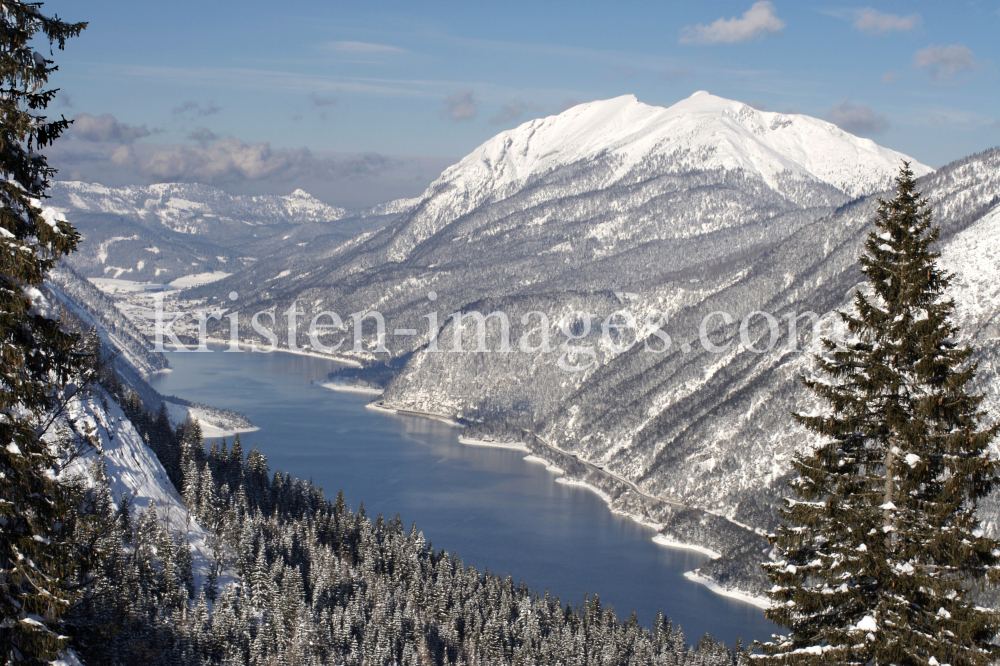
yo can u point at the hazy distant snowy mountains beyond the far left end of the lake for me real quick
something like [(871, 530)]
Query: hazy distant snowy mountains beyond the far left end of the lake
[(158, 233)]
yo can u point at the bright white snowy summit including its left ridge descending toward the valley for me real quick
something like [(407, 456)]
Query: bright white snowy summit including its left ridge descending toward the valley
[(623, 137)]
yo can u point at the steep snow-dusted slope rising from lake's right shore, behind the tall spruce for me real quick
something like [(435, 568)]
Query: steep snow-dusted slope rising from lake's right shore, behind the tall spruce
[(706, 429)]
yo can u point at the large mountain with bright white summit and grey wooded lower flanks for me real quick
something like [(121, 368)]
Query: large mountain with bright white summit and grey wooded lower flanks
[(611, 195)]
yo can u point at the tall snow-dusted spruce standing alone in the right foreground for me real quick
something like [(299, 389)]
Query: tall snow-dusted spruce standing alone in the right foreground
[(878, 555)]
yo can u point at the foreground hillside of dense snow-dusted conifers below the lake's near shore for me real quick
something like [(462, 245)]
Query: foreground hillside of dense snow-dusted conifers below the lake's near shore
[(296, 579)]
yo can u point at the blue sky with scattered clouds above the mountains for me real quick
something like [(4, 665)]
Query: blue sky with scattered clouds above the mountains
[(363, 102)]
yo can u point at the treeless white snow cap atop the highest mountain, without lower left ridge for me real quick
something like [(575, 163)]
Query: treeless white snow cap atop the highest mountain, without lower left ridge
[(709, 131)]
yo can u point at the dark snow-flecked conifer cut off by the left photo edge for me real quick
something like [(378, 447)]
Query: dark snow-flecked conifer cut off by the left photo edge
[(37, 359)]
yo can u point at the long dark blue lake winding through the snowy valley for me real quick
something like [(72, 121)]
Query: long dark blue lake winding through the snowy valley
[(489, 505)]
